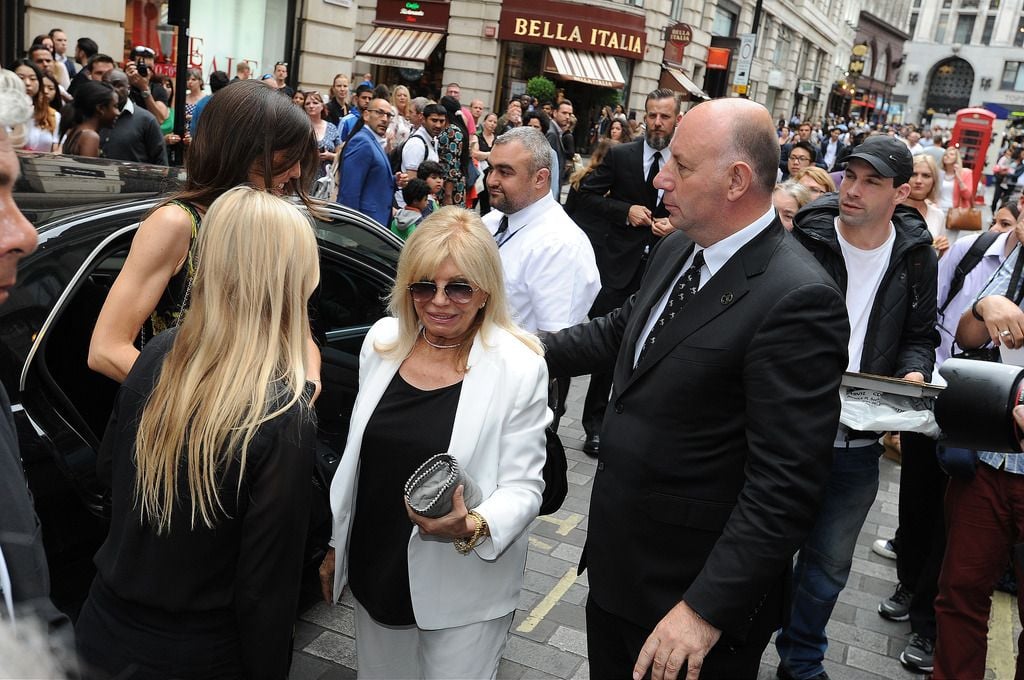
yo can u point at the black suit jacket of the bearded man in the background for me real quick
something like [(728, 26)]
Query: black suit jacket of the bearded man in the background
[(610, 192)]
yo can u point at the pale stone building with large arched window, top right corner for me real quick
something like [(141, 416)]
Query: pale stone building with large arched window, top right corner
[(964, 54)]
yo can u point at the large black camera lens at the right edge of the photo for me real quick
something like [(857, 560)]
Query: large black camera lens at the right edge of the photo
[(975, 411)]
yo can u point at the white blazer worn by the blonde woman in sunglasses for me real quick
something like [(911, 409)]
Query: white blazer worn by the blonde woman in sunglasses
[(498, 439)]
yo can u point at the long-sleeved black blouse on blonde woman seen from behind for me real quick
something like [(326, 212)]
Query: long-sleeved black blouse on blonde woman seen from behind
[(247, 570)]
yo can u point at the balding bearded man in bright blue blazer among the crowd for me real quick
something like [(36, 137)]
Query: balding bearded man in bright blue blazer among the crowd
[(367, 183)]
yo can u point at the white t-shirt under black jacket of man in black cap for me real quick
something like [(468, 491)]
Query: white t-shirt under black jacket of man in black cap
[(865, 270)]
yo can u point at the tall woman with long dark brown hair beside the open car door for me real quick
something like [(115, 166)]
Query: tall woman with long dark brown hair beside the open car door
[(278, 154)]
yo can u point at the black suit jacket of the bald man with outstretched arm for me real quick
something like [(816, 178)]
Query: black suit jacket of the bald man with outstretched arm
[(715, 451)]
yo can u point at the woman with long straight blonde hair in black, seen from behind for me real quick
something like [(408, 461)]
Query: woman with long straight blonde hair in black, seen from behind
[(209, 453)]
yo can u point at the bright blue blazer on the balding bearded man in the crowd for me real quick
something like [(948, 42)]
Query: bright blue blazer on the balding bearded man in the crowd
[(367, 183)]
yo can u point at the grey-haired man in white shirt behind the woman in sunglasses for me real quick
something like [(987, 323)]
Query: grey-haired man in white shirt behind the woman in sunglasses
[(551, 275)]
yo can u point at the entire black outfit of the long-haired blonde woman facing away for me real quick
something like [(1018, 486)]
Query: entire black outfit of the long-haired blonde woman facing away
[(200, 603)]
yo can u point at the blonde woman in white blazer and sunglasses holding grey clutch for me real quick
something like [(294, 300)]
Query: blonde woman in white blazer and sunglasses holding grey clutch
[(448, 372)]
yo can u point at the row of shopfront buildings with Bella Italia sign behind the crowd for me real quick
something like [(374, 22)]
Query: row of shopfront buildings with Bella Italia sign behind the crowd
[(795, 56)]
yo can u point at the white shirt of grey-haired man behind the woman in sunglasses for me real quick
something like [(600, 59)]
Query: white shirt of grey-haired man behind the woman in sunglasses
[(551, 276)]
